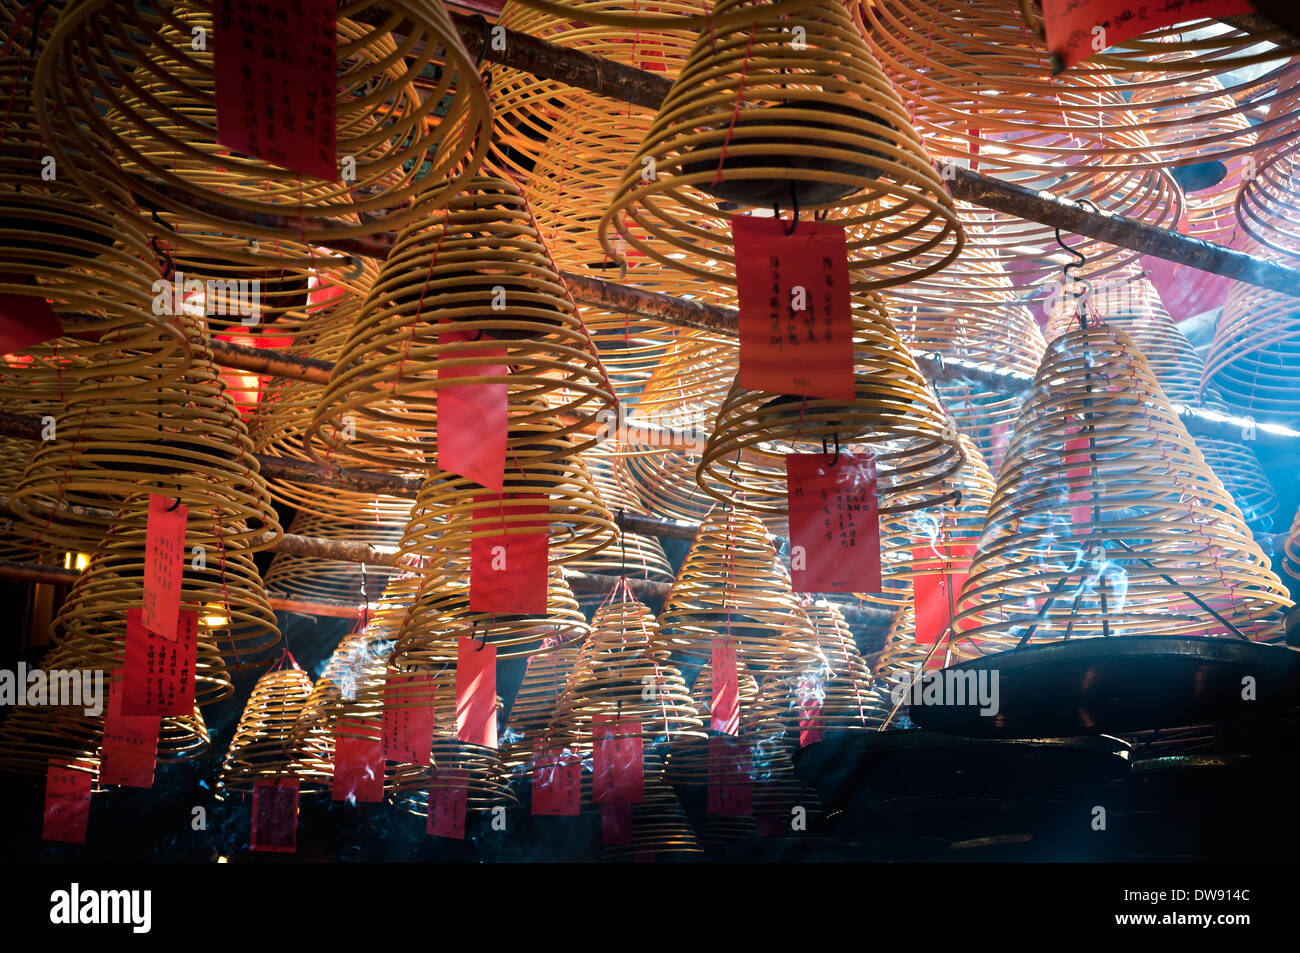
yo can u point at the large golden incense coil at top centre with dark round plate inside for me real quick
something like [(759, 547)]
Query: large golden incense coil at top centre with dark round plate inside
[(755, 120)]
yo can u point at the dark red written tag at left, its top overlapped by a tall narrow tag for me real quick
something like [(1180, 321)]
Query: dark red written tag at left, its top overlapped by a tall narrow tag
[(158, 677)]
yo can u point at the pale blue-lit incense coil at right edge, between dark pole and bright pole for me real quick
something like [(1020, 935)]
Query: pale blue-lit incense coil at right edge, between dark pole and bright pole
[(1254, 357)]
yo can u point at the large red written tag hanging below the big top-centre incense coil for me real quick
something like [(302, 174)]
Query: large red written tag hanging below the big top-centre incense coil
[(796, 317)]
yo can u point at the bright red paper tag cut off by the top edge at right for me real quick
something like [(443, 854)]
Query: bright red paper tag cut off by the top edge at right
[(1078, 29)]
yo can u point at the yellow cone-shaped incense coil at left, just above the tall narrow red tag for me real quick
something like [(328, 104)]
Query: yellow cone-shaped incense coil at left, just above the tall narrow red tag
[(183, 439)]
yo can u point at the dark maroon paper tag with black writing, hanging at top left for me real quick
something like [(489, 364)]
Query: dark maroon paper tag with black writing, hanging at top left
[(276, 85)]
